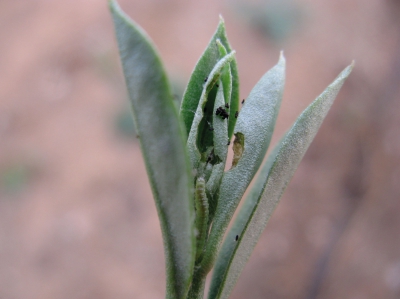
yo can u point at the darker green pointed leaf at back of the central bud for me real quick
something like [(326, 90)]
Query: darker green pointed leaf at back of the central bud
[(202, 69)]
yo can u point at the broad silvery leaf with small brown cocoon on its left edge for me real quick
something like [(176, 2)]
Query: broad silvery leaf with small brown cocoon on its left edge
[(253, 132)]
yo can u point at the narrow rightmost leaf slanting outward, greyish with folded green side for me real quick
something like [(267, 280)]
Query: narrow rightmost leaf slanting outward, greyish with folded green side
[(265, 194)]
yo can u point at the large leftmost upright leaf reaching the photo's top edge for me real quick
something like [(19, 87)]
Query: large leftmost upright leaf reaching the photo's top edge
[(163, 147)]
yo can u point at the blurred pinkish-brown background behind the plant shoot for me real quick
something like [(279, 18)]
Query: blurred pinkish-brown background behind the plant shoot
[(77, 218)]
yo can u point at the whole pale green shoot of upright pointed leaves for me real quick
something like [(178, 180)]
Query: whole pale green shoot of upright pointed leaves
[(185, 156)]
